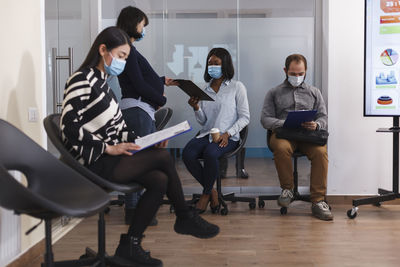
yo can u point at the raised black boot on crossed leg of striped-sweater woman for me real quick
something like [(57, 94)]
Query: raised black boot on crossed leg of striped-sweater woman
[(191, 223)]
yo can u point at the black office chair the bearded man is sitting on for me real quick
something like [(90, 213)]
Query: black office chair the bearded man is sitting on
[(297, 196)]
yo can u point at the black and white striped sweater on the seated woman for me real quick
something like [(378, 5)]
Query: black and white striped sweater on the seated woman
[(91, 117)]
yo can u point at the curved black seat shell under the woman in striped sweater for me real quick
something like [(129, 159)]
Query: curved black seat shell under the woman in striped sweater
[(52, 127)]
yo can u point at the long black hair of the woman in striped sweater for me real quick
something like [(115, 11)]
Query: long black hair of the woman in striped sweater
[(111, 37)]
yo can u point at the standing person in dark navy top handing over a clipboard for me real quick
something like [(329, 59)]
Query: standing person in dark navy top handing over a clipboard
[(141, 87)]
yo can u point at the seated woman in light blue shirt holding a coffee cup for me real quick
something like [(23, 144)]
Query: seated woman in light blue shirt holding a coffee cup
[(229, 113)]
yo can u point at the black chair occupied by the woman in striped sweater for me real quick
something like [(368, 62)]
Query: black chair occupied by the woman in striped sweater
[(52, 127)]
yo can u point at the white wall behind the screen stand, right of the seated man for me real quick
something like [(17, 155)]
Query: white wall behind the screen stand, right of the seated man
[(360, 159)]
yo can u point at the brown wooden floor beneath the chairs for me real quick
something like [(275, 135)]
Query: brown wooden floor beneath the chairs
[(260, 237)]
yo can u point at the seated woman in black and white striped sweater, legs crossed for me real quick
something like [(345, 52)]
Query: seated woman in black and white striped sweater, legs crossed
[(96, 134)]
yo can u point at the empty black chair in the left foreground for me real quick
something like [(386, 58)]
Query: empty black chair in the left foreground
[(53, 188)]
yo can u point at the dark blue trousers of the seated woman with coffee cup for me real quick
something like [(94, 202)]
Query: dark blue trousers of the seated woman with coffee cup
[(207, 173)]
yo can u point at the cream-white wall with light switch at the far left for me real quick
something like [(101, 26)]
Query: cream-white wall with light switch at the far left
[(22, 78)]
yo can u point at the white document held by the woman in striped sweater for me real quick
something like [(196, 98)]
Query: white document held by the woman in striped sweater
[(168, 133)]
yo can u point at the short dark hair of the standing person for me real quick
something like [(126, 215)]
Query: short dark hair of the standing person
[(128, 20)]
